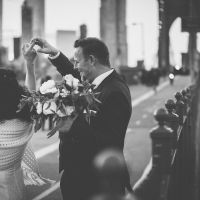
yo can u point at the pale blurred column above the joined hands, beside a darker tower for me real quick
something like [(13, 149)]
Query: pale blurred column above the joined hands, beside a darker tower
[(38, 8)]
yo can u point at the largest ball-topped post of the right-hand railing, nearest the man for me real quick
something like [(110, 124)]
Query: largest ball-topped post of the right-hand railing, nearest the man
[(161, 150)]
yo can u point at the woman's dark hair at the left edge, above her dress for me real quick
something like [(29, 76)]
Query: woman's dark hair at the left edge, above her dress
[(11, 93)]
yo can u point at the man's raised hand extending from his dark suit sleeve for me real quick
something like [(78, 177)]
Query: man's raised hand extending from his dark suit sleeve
[(45, 47)]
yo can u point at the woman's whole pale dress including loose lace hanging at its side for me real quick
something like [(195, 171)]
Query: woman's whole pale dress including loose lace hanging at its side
[(18, 166)]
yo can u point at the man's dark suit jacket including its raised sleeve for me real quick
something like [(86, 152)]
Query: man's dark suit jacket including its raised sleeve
[(107, 129)]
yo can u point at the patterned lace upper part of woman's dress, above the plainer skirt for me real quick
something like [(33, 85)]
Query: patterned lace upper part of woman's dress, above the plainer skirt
[(14, 135)]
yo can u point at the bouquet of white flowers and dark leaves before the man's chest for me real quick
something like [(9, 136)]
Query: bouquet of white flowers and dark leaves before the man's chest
[(61, 101)]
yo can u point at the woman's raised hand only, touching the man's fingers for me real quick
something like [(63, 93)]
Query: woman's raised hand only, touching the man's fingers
[(29, 52)]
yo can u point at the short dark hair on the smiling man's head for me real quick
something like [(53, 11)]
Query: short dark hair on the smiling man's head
[(94, 46)]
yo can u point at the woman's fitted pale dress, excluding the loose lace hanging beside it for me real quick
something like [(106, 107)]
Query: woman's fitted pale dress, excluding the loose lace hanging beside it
[(14, 136)]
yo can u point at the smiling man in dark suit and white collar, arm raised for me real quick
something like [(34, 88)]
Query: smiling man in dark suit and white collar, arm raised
[(107, 128)]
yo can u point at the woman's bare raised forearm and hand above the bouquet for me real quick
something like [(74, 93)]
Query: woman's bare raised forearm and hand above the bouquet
[(29, 55)]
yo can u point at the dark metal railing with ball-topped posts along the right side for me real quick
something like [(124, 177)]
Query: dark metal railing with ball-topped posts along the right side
[(173, 172)]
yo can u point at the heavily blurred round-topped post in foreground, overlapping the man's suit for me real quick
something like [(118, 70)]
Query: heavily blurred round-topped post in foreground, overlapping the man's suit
[(111, 170)]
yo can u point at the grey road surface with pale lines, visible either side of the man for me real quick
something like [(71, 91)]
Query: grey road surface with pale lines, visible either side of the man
[(137, 143)]
